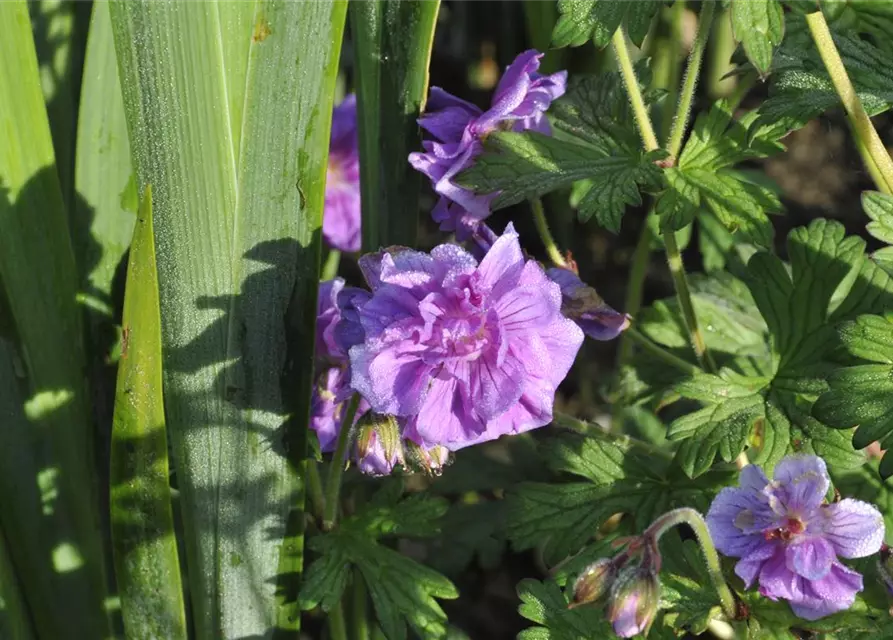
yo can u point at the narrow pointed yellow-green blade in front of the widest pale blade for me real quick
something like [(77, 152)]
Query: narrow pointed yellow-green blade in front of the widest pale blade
[(145, 545)]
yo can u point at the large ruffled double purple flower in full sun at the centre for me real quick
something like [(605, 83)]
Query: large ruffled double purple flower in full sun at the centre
[(464, 352)]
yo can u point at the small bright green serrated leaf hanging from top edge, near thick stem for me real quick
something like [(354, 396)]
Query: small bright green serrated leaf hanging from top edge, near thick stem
[(759, 27)]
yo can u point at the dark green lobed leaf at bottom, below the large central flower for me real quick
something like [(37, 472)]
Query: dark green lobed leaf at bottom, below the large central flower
[(402, 590)]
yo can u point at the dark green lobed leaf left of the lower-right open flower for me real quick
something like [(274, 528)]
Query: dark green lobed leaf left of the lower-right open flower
[(610, 478)]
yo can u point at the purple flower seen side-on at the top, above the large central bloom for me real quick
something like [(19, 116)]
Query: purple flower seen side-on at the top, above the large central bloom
[(458, 127)]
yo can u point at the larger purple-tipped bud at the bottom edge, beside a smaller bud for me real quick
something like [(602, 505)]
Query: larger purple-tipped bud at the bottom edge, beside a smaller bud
[(634, 601)]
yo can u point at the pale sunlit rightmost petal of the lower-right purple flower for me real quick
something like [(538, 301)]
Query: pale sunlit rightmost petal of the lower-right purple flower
[(855, 528)]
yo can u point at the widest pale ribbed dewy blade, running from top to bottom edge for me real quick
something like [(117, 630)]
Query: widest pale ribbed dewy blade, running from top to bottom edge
[(237, 236)]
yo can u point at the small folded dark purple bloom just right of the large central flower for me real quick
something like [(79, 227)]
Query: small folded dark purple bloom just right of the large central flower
[(582, 304)]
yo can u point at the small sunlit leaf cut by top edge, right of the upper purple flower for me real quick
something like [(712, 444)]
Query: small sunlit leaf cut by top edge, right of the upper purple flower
[(597, 20)]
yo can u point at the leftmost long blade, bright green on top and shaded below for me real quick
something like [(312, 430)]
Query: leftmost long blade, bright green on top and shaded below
[(48, 497)]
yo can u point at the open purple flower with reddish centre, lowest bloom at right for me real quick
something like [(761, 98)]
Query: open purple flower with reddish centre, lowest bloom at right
[(789, 538)]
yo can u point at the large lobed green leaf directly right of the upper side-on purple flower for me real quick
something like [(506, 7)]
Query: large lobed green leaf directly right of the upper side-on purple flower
[(596, 146)]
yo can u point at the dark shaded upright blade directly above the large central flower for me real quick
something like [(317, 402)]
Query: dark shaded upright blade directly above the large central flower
[(392, 41)]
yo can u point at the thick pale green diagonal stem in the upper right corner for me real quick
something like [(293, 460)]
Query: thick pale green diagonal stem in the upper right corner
[(864, 130)]
